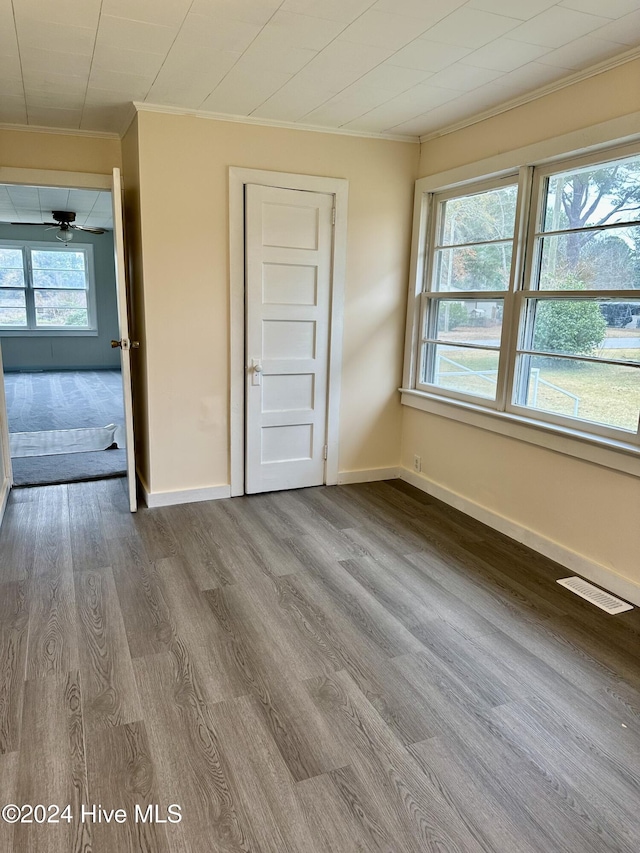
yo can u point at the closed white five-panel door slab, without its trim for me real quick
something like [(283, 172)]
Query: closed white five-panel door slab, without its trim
[(288, 250)]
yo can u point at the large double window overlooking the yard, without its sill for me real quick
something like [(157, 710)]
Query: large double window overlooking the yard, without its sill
[(530, 302)]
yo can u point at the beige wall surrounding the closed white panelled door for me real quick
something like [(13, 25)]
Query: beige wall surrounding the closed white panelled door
[(184, 164)]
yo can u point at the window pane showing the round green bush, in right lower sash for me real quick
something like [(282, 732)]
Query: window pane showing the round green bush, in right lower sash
[(594, 327)]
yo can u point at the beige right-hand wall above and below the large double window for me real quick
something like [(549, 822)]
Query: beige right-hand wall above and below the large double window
[(587, 509)]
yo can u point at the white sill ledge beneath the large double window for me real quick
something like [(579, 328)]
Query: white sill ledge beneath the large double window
[(617, 455)]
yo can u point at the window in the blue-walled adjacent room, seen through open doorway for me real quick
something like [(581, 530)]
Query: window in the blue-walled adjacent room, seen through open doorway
[(46, 289)]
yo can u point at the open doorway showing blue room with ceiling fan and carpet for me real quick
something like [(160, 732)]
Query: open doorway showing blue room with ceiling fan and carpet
[(58, 316)]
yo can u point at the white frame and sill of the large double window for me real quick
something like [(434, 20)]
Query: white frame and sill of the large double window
[(613, 448)]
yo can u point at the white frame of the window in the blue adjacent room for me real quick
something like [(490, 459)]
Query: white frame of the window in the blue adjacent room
[(25, 247)]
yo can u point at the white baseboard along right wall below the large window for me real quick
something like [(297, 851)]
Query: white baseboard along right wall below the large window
[(575, 562)]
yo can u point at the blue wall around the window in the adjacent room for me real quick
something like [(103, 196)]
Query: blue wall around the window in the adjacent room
[(69, 352)]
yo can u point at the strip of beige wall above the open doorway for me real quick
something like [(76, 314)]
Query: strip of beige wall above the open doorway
[(66, 152)]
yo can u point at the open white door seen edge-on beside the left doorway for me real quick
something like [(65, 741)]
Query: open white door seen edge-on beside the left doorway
[(124, 343)]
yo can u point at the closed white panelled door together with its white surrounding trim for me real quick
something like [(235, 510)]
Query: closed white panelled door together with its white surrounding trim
[(287, 250)]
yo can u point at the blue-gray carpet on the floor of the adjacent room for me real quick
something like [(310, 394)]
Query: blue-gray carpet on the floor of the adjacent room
[(65, 400)]
